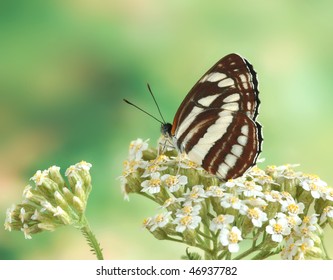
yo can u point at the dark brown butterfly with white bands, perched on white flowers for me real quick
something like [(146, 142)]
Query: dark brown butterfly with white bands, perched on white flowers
[(215, 124)]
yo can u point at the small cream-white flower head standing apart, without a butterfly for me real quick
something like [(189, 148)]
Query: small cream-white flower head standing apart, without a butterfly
[(50, 203)]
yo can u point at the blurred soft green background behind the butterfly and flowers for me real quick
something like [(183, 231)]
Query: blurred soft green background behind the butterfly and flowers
[(65, 67)]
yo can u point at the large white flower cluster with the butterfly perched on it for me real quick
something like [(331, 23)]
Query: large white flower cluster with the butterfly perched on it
[(271, 207)]
